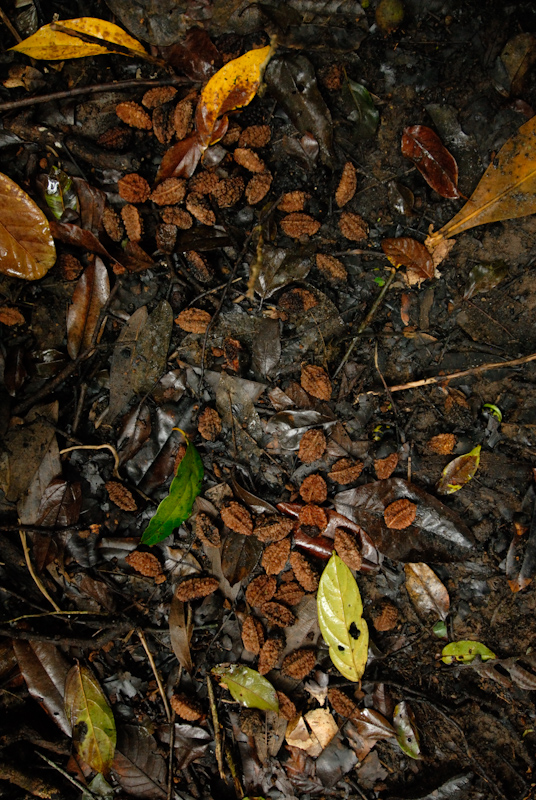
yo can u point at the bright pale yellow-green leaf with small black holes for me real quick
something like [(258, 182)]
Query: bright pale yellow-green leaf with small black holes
[(340, 617)]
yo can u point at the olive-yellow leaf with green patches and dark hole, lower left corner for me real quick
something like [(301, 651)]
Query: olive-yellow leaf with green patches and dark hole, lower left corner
[(91, 717)]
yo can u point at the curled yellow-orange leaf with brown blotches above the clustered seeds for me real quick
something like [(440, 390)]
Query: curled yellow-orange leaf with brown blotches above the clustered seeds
[(233, 86)]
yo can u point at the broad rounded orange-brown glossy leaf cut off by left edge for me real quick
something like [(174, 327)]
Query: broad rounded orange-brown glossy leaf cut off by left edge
[(26, 246)]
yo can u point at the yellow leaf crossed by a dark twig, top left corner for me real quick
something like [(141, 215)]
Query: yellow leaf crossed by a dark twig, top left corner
[(54, 45)]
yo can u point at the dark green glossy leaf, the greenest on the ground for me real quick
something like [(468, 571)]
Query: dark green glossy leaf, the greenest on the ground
[(177, 506)]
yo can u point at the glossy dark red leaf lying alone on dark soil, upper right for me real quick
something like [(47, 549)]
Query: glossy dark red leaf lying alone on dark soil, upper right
[(437, 166)]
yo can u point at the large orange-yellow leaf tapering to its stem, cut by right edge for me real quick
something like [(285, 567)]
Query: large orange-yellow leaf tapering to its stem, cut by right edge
[(506, 190)]
